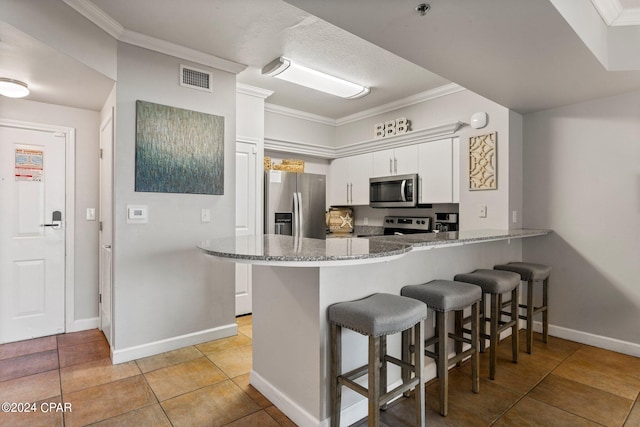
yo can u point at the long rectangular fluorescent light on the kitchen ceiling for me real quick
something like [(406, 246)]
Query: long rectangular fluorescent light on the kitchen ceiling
[(285, 69)]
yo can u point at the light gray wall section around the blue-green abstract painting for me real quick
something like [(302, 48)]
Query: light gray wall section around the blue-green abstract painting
[(165, 290)]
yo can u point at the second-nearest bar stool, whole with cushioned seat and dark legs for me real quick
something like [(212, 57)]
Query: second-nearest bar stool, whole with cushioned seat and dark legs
[(445, 296)]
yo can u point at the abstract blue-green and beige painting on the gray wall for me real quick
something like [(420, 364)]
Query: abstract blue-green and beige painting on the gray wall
[(178, 151)]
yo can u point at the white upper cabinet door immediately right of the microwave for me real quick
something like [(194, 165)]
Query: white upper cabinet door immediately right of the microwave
[(435, 160)]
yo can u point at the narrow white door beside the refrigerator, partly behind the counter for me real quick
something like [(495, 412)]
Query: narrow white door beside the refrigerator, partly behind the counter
[(246, 205)]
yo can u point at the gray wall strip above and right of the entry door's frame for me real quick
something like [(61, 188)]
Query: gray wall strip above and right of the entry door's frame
[(87, 125)]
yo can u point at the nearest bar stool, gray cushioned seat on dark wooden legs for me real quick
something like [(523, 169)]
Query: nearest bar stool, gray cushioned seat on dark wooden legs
[(377, 316)]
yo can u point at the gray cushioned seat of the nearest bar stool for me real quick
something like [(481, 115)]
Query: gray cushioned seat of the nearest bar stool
[(378, 314)]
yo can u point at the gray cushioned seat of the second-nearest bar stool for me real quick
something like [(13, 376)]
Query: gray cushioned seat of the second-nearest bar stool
[(444, 295)]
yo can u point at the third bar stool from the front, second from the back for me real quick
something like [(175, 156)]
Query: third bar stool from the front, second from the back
[(495, 283)]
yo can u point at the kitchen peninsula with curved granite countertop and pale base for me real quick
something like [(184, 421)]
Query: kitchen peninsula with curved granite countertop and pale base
[(296, 279)]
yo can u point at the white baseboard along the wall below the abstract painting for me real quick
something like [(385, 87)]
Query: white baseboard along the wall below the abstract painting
[(157, 347)]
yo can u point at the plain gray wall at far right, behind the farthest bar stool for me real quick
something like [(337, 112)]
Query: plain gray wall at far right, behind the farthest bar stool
[(582, 179)]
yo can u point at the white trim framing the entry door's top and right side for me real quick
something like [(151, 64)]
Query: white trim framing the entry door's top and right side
[(70, 224)]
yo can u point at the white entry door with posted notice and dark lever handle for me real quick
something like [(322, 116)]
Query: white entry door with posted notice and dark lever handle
[(32, 233)]
